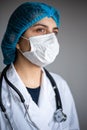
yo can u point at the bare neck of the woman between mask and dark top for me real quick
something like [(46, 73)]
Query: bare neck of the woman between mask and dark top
[(29, 73)]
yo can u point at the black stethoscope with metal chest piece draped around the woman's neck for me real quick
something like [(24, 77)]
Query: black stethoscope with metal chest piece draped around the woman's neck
[(59, 116)]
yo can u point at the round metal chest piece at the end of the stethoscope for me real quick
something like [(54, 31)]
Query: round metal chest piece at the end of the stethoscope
[(59, 116)]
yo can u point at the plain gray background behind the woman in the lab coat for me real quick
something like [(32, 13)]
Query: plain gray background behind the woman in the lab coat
[(71, 63)]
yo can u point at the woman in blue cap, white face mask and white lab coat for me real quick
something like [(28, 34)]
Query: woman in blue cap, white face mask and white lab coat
[(31, 98)]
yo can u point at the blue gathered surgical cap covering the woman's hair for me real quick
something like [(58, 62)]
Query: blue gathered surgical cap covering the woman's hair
[(24, 17)]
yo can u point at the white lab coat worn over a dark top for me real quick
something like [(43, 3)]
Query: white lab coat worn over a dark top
[(42, 114)]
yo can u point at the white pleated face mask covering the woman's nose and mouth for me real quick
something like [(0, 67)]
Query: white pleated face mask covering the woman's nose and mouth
[(44, 49)]
